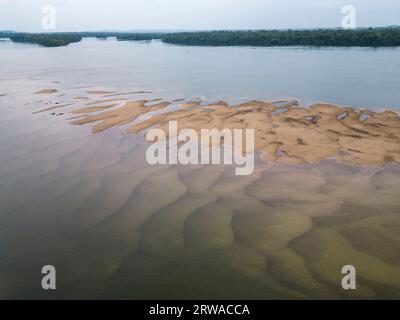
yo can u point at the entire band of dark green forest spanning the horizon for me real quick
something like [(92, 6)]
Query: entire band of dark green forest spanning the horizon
[(368, 37)]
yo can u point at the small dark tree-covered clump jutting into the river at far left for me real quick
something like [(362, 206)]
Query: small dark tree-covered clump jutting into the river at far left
[(46, 40)]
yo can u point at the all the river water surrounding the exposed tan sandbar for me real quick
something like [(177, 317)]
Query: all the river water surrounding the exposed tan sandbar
[(115, 227)]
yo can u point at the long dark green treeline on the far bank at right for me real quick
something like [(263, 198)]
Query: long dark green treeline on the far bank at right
[(379, 37)]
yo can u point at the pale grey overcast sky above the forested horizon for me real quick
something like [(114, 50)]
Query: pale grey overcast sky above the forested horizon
[(79, 15)]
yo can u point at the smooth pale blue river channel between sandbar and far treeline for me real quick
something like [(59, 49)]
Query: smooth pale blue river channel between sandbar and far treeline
[(358, 77)]
